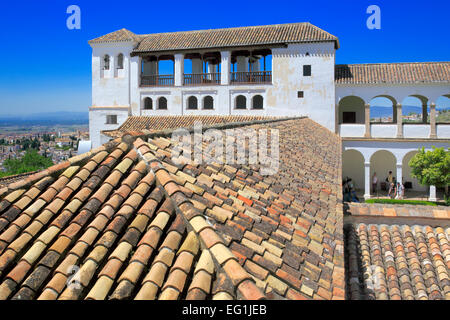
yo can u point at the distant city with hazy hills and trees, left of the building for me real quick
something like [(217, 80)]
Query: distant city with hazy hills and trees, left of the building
[(33, 142)]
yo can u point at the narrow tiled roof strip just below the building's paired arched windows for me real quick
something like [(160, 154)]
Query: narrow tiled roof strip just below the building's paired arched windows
[(137, 125)]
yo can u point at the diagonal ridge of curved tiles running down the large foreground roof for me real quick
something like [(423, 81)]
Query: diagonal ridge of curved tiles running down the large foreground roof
[(224, 259)]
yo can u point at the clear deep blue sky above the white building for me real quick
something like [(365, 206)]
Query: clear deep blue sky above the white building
[(47, 67)]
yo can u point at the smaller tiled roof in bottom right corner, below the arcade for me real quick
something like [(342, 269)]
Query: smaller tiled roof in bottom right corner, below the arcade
[(397, 252)]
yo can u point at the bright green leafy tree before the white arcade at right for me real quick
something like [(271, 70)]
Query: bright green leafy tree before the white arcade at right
[(432, 168)]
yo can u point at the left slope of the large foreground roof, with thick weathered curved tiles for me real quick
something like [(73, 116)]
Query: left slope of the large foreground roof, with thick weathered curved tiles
[(110, 218)]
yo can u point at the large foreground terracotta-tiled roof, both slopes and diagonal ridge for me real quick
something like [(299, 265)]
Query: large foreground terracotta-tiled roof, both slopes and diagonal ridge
[(140, 227)]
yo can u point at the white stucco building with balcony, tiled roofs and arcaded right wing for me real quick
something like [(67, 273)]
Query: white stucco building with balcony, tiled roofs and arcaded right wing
[(275, 70)]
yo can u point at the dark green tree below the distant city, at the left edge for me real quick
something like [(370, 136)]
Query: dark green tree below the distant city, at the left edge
[(31, 161)]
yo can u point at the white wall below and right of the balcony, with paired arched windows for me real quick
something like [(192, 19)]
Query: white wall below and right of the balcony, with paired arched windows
[(280, 98)]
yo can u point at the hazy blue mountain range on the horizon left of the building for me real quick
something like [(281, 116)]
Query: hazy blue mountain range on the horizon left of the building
[(45, 119)]
